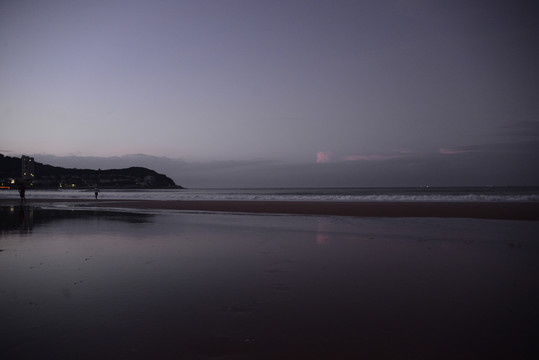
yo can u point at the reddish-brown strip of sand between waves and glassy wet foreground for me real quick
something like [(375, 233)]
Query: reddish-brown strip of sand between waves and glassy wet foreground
[(477, 210)]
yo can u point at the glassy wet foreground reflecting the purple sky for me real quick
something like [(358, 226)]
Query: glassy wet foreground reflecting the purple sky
[(92, 284)]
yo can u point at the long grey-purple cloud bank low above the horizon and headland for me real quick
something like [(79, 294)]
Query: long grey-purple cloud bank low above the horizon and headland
[(491, 164)]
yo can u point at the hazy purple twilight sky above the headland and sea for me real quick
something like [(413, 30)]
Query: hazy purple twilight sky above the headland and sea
[(276, 93)]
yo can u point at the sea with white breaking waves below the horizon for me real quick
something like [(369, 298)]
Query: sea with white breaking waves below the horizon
[(398, 194)]
